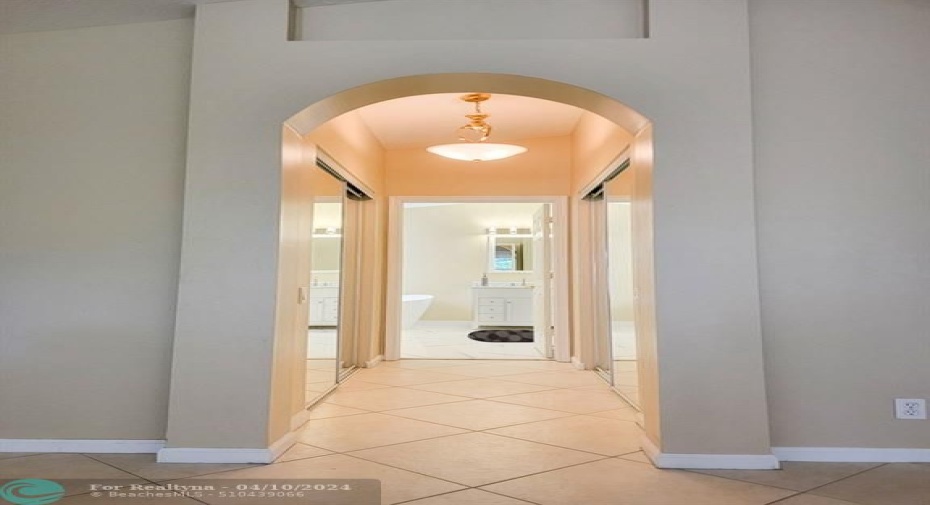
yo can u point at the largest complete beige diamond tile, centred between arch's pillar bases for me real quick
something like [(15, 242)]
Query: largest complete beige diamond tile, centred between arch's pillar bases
[(475, 459)]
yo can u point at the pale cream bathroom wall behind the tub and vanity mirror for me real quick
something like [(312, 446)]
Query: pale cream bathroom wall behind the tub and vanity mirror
[(446, 250)]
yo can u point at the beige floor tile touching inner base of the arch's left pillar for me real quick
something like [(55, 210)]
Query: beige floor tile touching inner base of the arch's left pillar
[(362, 431)]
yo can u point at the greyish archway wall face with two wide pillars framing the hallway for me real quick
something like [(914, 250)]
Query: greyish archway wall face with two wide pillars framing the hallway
[(699, 108)]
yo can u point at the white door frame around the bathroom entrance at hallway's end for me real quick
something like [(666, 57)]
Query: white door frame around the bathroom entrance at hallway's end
[(395, 265)]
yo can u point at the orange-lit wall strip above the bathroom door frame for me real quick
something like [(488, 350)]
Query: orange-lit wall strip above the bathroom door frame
[(544, 170)]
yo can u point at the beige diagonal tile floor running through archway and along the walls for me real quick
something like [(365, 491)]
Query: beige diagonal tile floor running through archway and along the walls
[(490, 433)]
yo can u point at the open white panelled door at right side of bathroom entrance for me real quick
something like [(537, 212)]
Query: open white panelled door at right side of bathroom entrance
[(542, 281)]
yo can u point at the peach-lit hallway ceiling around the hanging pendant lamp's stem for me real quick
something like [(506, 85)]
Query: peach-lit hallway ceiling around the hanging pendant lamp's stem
[(424, 120)]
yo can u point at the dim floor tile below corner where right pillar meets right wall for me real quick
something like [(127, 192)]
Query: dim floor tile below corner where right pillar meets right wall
[(799, 476)]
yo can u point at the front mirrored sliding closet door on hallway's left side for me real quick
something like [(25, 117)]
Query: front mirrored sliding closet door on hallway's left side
[(324, 322)]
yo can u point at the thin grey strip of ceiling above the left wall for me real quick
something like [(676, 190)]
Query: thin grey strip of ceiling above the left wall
[(18, 16)]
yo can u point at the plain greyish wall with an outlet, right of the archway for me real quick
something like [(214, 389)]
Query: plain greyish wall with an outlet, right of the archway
[(842, 120)]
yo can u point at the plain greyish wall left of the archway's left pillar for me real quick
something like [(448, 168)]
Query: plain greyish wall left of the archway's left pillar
[(92, 137)]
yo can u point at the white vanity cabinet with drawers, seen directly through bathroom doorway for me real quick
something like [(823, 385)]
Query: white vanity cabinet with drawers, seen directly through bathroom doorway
[(502, 306)]
